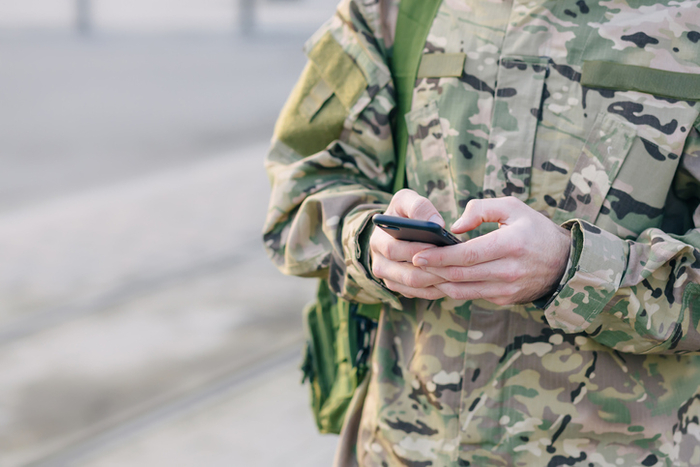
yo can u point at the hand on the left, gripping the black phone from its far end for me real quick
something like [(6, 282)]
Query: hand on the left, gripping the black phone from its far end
[(392, 259)]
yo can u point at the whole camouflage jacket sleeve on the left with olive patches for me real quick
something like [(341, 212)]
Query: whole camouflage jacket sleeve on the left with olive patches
[(331, 162)]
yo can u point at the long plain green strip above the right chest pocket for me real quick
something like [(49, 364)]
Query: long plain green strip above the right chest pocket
[(609, 75)]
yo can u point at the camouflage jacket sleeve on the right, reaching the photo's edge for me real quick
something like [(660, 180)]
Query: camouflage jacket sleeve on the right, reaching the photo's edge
[(640, 296)]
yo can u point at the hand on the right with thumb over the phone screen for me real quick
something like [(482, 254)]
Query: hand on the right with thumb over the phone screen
[(521, 261)]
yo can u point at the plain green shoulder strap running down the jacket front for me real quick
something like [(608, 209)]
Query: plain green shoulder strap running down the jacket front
[(412, 27)]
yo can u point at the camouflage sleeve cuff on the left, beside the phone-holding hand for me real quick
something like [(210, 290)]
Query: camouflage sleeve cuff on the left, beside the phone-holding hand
[(361, 285)]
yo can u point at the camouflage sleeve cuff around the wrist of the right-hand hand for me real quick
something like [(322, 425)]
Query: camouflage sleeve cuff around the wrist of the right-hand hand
[(597, 263)]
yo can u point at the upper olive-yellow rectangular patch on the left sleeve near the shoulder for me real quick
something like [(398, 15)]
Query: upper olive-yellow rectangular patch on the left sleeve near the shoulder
[(338, 70)]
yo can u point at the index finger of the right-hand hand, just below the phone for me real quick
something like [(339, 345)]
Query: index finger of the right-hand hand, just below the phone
[(479, 250)]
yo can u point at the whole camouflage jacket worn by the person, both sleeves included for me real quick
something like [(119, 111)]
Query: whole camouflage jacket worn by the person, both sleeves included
[(586, 110)]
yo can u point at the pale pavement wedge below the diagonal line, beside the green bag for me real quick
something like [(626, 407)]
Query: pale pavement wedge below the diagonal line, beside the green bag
[(268, 424)]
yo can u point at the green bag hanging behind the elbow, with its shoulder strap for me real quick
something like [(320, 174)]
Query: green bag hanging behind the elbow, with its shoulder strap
[(339, 333)]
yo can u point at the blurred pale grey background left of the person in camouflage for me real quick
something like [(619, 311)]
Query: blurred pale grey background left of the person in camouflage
[(141, 323)]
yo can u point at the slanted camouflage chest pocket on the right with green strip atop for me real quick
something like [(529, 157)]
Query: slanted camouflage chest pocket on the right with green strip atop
[(626, 166)]
